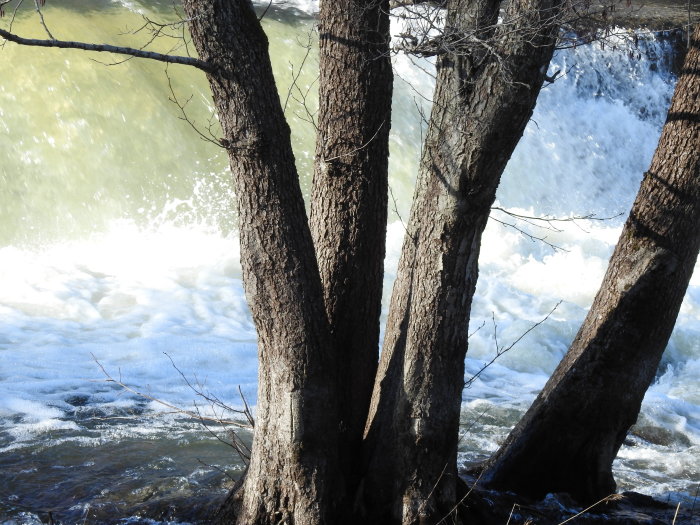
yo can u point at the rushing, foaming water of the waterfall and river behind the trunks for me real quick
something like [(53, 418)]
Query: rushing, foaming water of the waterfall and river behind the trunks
[(118, 245)]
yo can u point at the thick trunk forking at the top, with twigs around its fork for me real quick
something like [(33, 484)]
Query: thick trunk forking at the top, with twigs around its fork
[(487, 84)]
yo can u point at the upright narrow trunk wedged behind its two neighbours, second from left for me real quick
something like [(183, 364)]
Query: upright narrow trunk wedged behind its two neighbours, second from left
[(349, 202)]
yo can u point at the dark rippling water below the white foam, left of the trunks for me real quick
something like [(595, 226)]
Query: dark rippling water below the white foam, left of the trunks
[(181, 474)]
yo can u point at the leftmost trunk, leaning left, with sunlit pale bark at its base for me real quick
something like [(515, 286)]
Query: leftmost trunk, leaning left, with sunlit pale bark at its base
[(293, 467)]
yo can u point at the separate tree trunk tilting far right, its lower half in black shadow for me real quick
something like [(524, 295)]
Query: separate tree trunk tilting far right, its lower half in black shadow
[(567, 440)]
